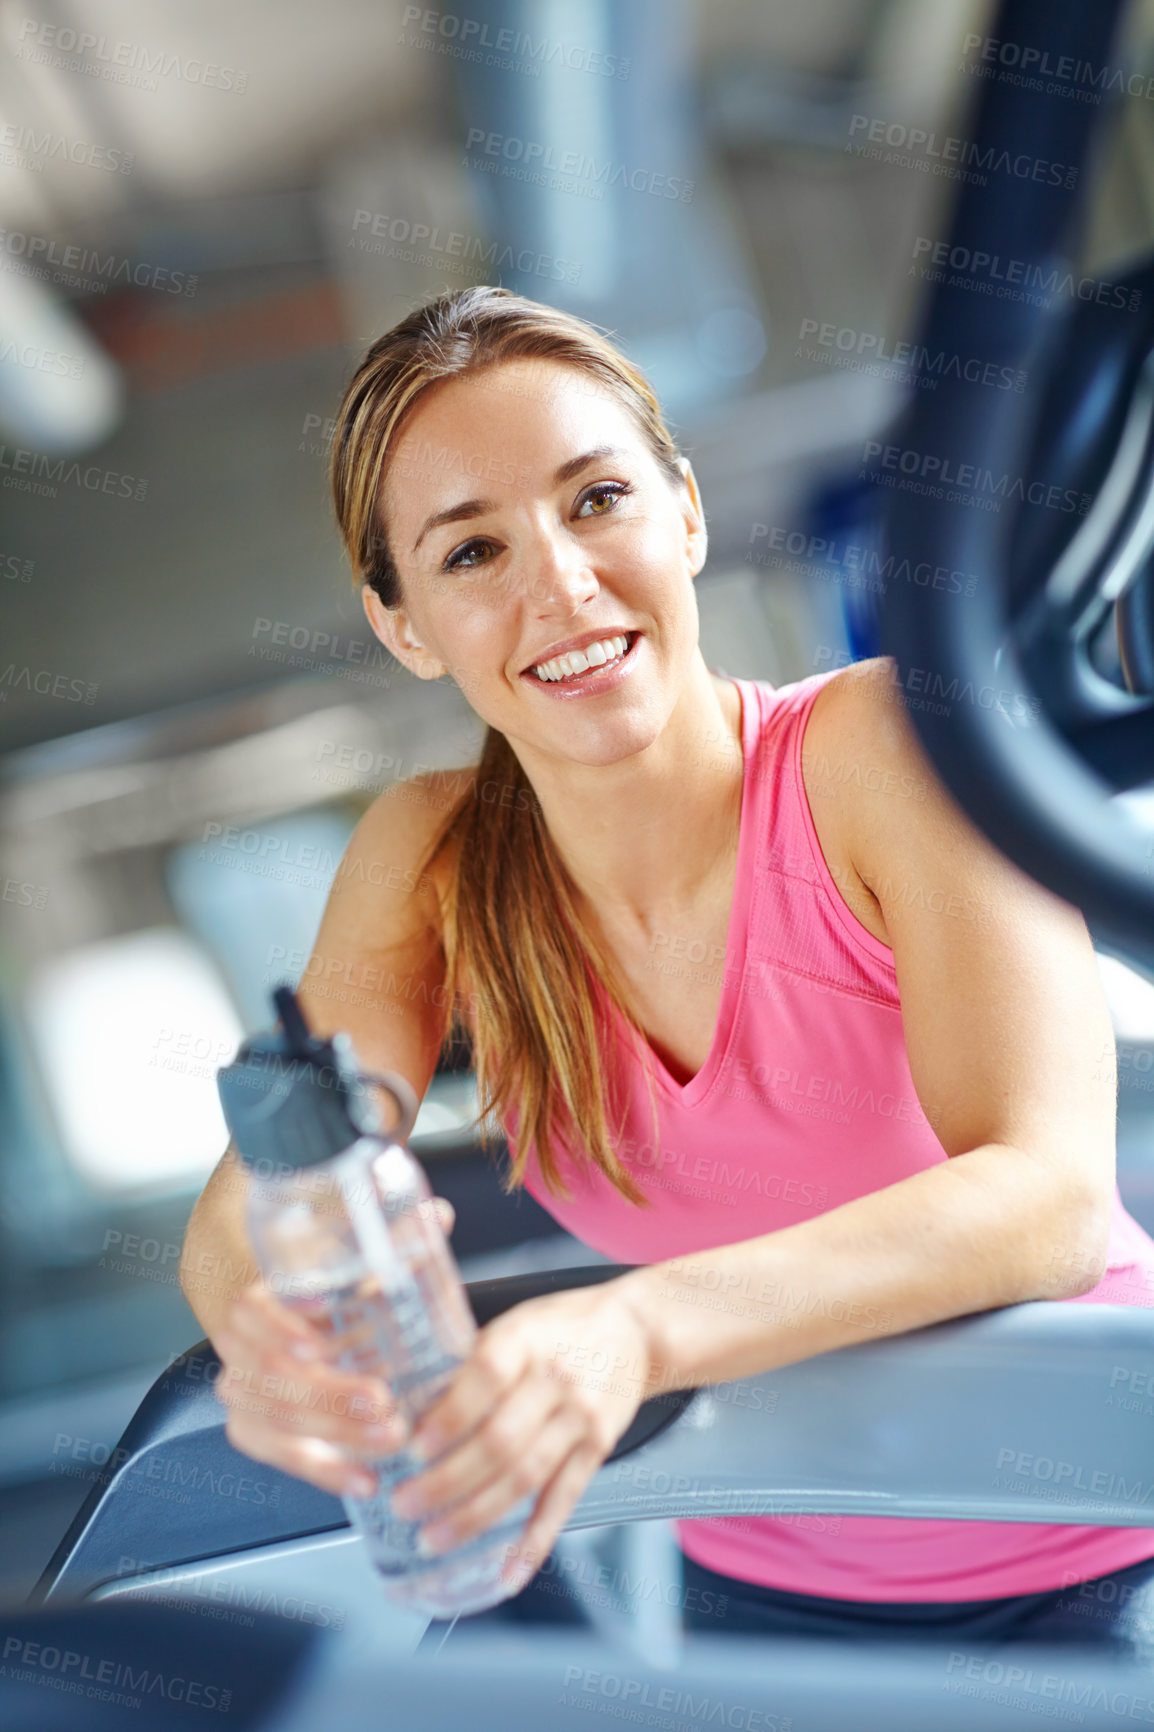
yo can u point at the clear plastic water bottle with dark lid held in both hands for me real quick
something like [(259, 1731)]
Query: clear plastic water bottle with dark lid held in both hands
[(342, 1222)]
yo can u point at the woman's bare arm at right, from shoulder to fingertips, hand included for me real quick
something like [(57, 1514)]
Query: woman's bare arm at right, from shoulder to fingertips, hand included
[(1006, 1030)]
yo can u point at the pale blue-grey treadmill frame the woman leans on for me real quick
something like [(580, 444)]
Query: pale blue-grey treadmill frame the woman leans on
[(1027, 1414)]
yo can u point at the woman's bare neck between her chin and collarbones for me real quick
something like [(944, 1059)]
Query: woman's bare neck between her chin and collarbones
[(644, 837)]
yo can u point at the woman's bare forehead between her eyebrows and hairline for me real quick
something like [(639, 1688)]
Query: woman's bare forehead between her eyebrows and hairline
[(510, 427)]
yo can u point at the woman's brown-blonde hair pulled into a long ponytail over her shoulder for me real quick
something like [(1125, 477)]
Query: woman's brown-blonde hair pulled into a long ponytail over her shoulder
[(514, 941)]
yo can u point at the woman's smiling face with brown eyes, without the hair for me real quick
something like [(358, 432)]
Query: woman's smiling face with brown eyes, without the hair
[(526, 510)]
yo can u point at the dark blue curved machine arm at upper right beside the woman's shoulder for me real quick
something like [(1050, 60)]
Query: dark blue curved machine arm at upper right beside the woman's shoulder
[(1042, 498)]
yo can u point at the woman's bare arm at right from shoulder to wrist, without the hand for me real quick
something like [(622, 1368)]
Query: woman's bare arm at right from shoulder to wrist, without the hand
[(1006, 1030)]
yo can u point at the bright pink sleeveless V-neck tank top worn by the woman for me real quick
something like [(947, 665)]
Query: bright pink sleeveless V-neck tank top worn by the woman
[(807, 1102)]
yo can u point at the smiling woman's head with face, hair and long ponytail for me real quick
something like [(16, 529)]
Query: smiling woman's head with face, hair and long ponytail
[(607, 540)]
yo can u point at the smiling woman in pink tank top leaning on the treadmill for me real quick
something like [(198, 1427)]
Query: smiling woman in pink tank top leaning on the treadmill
[(756, 1005)]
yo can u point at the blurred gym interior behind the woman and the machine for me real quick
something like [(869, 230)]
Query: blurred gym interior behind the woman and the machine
[(205, 217)]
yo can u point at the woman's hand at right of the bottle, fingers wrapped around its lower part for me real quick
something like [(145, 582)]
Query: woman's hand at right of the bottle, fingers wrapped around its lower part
[(545, 1395)]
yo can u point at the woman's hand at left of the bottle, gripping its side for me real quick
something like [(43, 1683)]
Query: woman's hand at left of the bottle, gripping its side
[(292, 1407)]
